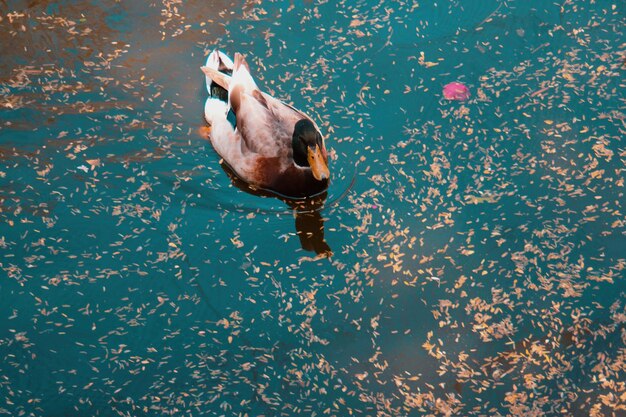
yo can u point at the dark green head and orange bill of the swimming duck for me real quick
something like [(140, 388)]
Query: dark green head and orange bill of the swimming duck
[(309, 150)]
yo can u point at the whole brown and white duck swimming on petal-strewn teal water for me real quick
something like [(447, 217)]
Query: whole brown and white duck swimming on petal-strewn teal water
[(273, 146)]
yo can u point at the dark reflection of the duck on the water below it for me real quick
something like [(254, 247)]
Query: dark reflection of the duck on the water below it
[(307, 211)]
